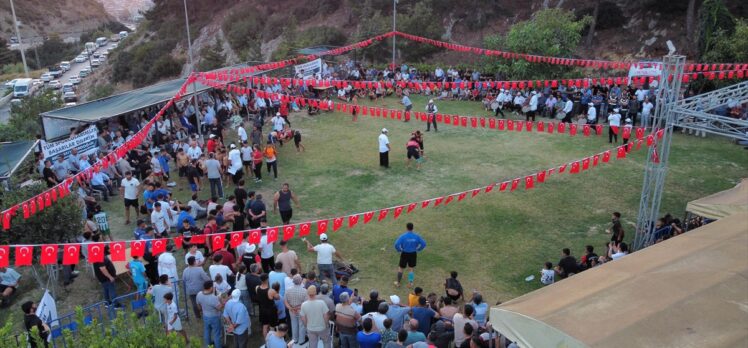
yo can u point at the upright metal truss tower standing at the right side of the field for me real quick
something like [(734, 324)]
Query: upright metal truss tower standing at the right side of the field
[(655, 170)]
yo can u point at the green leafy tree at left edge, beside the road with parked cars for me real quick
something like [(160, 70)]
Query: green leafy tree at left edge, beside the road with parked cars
[(24, 117)]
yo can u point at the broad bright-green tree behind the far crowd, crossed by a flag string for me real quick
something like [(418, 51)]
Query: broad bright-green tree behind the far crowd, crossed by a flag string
[(551, 32)]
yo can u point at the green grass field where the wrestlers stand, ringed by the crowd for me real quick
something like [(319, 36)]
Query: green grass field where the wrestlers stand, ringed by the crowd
[(493, 240)]
